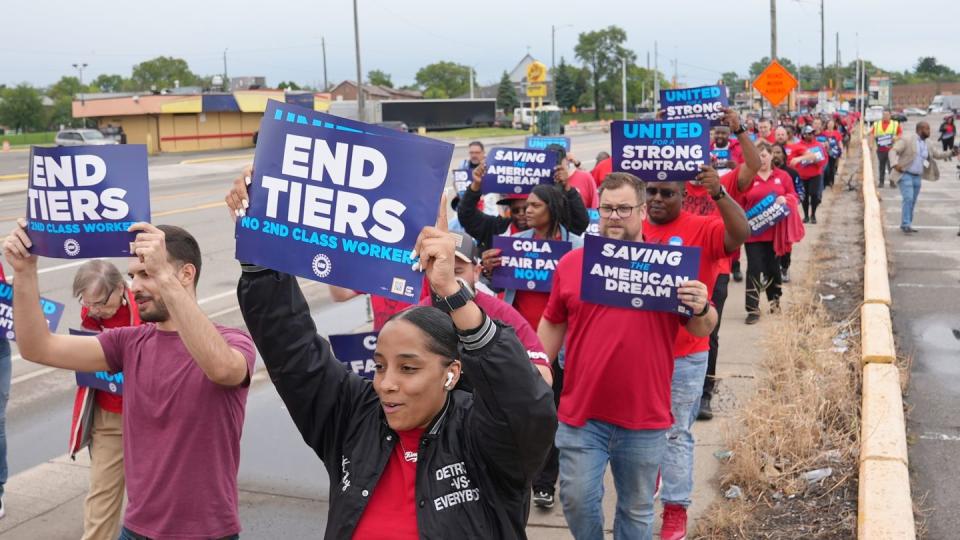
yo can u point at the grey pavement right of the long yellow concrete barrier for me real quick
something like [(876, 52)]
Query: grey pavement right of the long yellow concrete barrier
[(925, 284)]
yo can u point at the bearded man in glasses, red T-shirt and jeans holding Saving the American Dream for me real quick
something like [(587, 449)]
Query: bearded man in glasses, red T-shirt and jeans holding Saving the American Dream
[(615, 406)]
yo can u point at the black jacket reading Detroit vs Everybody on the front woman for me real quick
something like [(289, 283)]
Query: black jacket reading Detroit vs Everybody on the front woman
[(477, 458)]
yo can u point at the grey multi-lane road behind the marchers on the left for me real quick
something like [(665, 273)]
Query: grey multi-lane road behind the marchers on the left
[(274, 459)]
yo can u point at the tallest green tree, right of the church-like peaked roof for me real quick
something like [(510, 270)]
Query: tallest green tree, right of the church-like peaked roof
[(602, 50)]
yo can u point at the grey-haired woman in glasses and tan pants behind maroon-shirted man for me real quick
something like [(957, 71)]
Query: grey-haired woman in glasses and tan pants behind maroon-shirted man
[(105, 302)]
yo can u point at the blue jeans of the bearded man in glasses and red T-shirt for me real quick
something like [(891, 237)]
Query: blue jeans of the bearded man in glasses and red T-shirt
[(634, 456)]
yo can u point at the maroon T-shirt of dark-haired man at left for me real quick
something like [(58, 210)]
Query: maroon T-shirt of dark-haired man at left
[(181, 434)]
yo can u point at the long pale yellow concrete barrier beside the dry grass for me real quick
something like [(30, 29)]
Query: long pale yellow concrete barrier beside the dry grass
[(884, 504)]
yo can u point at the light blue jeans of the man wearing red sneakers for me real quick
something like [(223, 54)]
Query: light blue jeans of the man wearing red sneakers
[(685, 392)]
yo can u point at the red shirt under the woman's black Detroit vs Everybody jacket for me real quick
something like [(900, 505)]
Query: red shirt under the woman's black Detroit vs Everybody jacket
[(392, 510)]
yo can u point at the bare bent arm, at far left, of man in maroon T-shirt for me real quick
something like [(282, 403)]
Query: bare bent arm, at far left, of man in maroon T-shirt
[(36, 343)]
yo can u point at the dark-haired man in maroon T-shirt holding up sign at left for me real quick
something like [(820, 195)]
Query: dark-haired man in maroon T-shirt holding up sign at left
[(185, 385)]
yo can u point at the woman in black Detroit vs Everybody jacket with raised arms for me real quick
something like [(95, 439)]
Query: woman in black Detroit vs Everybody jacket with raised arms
[(408, 456)]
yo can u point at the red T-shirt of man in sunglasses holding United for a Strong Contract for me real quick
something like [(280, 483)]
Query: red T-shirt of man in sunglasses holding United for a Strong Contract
[(705, 232)]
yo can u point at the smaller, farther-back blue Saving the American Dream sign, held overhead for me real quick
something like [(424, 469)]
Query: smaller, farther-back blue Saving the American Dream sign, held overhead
[(517, 170)]
